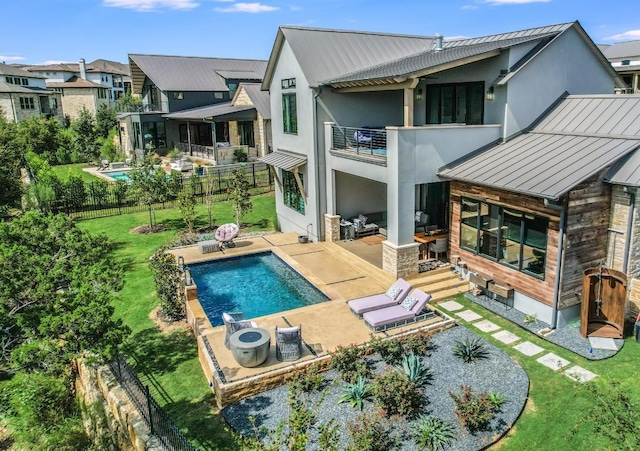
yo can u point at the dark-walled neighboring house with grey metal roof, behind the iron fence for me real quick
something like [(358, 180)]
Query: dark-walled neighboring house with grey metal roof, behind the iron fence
[(169, 84)]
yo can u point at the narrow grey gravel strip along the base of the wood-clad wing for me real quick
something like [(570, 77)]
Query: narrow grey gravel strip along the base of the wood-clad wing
[(567, 337)]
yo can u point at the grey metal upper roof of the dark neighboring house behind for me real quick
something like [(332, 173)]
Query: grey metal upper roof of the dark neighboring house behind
[(185, 73)]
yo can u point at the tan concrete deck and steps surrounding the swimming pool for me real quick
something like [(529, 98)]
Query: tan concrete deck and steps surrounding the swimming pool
[(338, 273)]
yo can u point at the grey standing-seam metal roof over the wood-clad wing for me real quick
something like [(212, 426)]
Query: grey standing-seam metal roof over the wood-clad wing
[(580, 137)]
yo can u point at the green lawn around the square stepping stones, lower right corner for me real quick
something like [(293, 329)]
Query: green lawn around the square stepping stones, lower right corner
[(556, 403)]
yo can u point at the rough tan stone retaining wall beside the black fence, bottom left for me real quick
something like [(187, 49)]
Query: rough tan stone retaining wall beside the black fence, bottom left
[(124, 428)]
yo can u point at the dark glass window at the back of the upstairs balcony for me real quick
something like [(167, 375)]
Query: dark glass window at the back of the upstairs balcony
[(461, 103)]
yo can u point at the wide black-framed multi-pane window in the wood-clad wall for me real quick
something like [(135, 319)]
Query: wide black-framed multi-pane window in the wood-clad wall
[(511, 237)]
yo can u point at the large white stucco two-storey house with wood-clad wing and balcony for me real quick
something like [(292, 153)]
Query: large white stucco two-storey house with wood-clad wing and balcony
[(364, 122)]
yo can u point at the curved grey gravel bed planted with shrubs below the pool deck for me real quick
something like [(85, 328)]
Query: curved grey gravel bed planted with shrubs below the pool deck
[(498, 373)]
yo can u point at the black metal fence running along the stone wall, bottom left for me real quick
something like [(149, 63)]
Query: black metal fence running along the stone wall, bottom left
[(158, 421)]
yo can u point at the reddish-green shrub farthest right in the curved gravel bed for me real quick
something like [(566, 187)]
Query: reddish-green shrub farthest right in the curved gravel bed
[(474, 410)]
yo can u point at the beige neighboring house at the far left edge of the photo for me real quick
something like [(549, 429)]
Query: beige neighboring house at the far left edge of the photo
[(23, 95)]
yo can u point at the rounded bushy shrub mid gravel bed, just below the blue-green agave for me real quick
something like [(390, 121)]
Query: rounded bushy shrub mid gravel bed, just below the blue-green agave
[(396, 394)]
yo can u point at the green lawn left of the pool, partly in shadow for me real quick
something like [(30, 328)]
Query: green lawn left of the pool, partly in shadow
[(168, 362)]
